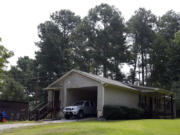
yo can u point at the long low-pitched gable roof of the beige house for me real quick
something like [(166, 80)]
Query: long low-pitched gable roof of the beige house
[(107, 81)]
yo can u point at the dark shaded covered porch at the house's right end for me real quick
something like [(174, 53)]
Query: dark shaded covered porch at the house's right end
[(157, 104)]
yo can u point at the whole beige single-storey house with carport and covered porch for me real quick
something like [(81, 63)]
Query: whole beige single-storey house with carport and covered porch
[(77, 85)]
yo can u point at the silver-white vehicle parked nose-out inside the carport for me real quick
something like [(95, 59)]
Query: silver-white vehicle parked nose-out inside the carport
[(80, 109)]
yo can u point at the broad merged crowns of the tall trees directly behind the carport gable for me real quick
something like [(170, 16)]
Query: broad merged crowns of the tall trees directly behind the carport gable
[(93, 44)]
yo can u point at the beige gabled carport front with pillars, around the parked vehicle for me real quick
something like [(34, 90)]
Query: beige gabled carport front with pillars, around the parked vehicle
[(73, 87)]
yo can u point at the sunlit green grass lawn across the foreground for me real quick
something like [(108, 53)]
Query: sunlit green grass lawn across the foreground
[(129, 127)]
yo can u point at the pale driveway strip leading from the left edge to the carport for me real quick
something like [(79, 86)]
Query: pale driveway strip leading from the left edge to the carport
[(17, 125)]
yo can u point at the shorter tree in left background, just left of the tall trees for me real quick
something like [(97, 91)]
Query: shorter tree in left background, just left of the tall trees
[(24, 73)]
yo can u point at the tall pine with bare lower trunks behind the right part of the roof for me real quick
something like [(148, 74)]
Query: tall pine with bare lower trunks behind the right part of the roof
[(141, 26)]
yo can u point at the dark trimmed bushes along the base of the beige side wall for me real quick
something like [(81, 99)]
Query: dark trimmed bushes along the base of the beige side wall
[(121, 112)]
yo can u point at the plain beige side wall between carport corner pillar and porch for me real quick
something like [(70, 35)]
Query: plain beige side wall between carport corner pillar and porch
[(118, 96)]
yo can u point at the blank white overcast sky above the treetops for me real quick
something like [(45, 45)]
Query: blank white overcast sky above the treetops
[(19, 18)]
